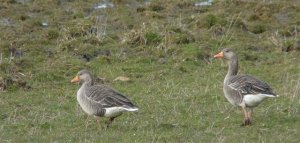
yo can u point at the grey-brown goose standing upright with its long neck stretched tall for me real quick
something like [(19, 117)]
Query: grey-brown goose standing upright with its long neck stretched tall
[(243, 90)]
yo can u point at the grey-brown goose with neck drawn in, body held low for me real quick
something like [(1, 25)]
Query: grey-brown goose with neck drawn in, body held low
[(100, 100)]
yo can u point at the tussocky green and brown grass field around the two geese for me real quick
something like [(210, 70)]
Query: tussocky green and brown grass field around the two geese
[(165, 48)]
